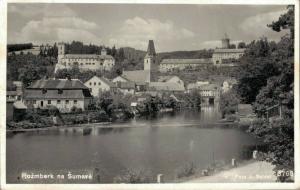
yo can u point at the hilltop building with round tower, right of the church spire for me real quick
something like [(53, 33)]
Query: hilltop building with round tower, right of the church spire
[(225, 56)]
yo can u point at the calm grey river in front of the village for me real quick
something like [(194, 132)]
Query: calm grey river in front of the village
[(160, 145)]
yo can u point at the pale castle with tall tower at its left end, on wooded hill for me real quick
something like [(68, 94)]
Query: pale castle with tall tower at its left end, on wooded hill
[(84, 61)]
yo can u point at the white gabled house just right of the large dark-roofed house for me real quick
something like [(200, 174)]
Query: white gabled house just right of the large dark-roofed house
[(98, 85)]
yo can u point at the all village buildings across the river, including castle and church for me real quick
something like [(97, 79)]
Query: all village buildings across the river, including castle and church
[(69, 94)]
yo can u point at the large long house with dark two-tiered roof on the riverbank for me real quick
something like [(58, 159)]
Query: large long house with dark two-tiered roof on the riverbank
[(61, 93)]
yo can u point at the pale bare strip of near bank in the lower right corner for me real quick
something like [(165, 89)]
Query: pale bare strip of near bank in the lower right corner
[(249, 171)]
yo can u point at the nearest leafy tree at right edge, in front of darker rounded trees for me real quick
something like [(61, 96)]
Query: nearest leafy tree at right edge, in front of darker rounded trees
[(278, 134)]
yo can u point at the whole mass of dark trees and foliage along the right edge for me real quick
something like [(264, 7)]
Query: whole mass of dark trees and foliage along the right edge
[(266, 79)]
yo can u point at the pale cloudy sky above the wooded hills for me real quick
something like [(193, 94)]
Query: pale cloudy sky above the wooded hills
[(172, 27)]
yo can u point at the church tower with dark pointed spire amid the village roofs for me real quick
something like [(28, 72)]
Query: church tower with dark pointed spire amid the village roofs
[(150, 62)]
